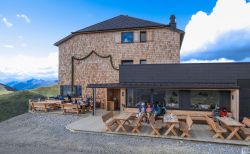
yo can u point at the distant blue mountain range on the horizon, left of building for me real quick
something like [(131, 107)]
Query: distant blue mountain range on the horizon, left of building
[(30, 84)]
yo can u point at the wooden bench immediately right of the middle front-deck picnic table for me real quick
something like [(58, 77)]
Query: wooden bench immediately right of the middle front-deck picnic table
[(185, 127)]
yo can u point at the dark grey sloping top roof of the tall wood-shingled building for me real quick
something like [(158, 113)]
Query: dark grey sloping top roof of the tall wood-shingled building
[(121, 22)]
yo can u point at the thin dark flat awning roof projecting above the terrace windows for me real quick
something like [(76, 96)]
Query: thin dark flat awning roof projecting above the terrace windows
[(177, 85)]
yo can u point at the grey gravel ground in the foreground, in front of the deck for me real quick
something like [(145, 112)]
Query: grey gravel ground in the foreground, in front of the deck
[(46, 133)]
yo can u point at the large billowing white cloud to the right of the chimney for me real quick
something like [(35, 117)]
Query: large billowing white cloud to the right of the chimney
[(203, 30)]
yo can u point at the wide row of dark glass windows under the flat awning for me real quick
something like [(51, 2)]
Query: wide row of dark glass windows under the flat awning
[(179, 99)]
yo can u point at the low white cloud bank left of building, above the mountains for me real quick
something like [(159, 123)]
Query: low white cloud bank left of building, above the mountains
[(25, 66)]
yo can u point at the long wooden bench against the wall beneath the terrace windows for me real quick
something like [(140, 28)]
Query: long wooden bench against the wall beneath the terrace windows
[(195, 115)]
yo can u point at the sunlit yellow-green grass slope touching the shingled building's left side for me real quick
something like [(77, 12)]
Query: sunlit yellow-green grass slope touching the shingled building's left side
[(47, 91)]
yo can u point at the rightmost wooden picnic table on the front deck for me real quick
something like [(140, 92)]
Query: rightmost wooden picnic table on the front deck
[(232, 125)]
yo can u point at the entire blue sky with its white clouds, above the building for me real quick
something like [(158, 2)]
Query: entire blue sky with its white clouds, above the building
[(29, 28)]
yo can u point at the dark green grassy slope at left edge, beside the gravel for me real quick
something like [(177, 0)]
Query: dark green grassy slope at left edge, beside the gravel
[(15, 103)]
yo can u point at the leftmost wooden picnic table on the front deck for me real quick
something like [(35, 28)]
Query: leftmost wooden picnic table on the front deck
[(121, 119)]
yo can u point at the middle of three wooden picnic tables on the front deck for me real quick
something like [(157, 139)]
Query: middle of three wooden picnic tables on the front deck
[(171, 121)]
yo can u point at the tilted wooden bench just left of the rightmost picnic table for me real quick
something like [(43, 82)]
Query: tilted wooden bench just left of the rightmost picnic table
[(216, 128)]
